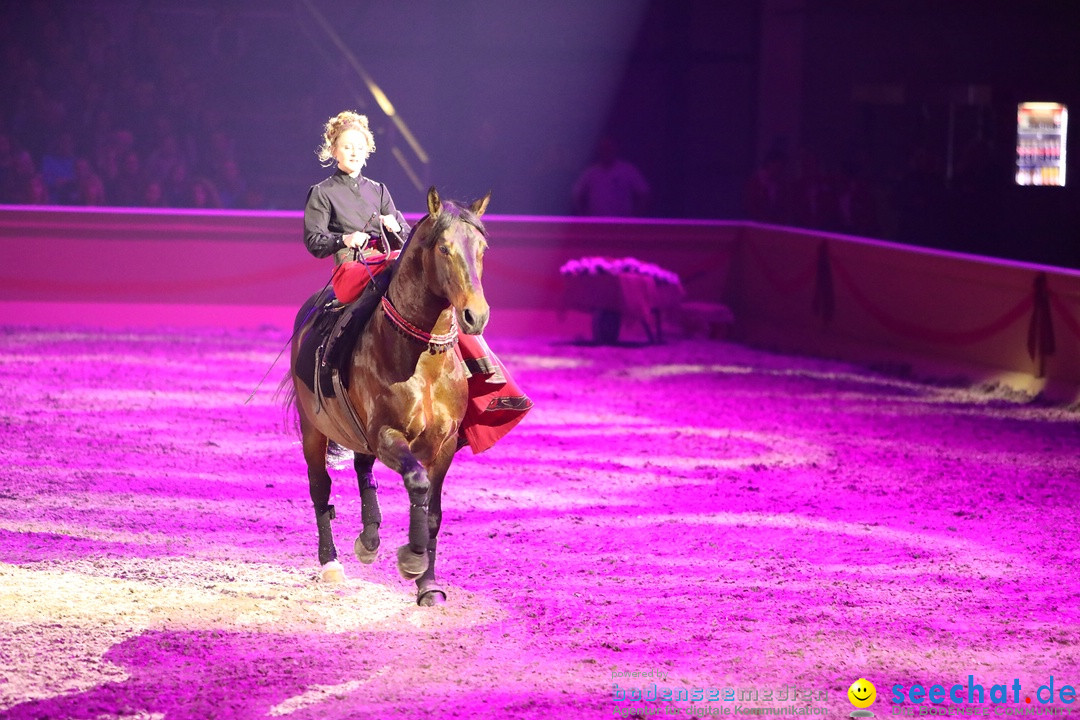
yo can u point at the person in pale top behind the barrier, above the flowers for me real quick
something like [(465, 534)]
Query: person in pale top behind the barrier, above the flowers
[(611, 187)]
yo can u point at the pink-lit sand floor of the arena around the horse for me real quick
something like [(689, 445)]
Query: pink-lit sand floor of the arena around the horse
[(721, 515)]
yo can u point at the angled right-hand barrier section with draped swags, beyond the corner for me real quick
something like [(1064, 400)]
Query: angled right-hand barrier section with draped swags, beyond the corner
[(1008, 322)]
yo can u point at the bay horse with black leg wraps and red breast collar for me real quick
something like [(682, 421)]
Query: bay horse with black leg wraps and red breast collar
[(408, 392)]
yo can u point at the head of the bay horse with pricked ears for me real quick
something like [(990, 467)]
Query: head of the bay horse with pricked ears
[(454, 247)]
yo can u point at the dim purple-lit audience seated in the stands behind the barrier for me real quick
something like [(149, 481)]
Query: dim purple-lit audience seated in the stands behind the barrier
[(96, 119)]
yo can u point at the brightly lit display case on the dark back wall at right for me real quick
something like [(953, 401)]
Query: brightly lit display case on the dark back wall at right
[(1041, 144)]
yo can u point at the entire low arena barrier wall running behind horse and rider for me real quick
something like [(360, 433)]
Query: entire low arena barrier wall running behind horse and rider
[(793, 290)]
